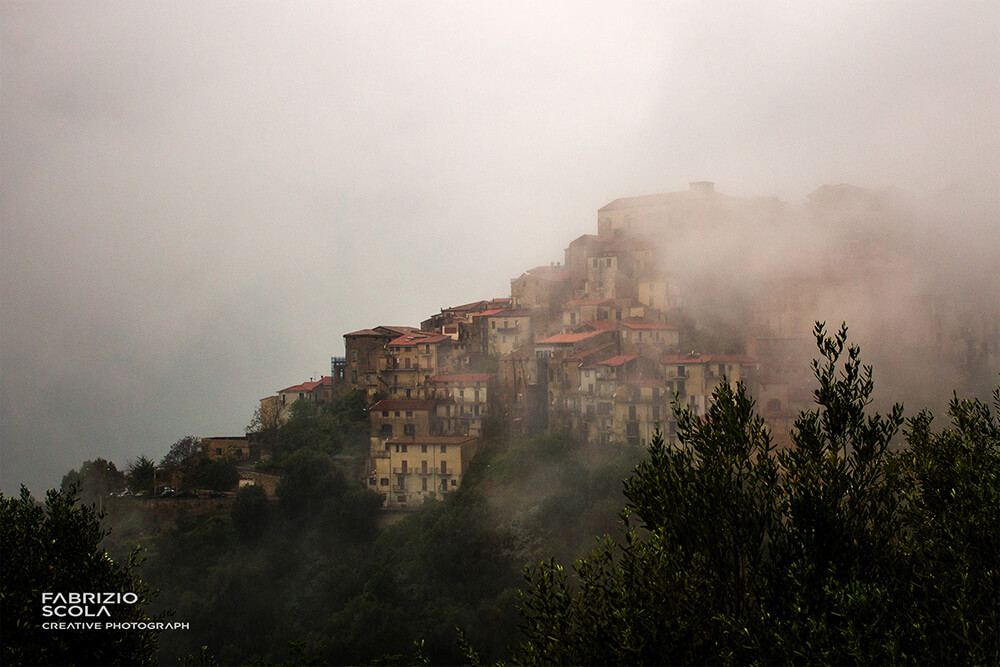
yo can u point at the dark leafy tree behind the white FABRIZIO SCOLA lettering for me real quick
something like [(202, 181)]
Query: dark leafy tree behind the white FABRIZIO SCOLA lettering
[(56, 549)]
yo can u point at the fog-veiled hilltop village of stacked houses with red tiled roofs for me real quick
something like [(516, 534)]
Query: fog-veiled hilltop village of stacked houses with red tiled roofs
[(674, 294)]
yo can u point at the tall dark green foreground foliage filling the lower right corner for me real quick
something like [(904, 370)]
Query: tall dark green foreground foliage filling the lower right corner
[(833, 552)]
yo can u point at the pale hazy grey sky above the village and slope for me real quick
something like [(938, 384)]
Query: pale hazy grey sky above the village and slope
[(198, 199)]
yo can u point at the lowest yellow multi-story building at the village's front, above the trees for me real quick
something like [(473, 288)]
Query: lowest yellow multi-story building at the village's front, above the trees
[(411, 469)]
